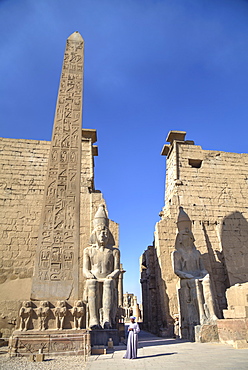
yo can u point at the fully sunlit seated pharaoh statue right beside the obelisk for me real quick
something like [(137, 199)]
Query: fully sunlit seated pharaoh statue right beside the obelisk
[(101, 267)]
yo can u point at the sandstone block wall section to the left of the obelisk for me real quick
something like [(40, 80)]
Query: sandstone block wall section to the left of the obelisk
[(23, 171)]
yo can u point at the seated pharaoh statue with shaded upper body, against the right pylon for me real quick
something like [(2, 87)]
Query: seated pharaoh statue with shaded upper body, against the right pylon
[(194, 289)]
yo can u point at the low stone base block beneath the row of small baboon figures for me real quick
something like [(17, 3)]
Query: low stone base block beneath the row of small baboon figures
[(50, 342)]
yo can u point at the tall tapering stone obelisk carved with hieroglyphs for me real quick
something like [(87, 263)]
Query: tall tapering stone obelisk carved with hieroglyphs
[(56, 265)]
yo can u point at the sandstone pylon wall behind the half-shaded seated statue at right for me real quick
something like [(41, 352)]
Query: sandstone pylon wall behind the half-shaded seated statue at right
[(212, 187)]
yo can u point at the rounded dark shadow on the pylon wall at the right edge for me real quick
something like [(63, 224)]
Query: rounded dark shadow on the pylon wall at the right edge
[(234, 238)]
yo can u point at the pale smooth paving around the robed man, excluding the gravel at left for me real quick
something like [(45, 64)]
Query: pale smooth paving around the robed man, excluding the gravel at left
[(160, 353)]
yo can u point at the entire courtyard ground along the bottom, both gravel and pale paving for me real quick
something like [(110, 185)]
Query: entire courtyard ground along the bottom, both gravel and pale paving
[(153, 353)]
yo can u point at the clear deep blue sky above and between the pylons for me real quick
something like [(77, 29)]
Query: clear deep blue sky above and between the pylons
[(151, 66)]
